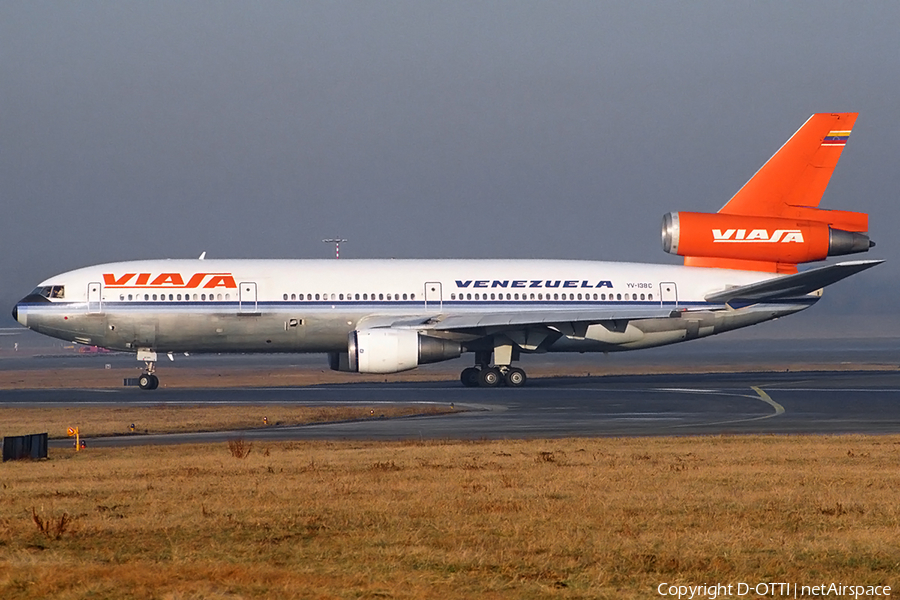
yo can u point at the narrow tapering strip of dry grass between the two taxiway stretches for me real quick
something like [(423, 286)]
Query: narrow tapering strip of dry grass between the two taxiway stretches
[(95, 421)]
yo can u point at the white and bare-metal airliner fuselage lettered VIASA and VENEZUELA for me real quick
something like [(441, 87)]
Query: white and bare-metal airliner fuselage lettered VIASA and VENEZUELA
[(312, 305)]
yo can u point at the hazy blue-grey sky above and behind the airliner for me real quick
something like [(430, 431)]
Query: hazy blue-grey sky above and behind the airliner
[(423, 129)]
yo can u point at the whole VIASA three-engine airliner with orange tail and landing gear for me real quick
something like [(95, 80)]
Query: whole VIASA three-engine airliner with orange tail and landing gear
[(388, 316)]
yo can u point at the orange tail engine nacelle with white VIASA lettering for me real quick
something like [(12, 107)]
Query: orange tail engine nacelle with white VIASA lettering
[(771, 239)]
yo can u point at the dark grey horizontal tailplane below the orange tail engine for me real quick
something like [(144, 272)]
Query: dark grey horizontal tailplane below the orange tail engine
[(791, 286)]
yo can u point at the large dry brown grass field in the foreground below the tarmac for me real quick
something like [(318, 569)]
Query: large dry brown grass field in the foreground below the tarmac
[(585, 518)]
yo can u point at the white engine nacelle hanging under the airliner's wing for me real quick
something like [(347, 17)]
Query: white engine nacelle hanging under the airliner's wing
[(391, 351)]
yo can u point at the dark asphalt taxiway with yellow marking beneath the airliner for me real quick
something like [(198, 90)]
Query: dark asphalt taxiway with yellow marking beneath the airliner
[(835, 402)]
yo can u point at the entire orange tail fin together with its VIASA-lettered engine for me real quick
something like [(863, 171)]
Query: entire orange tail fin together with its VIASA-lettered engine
[(773, 222)]
